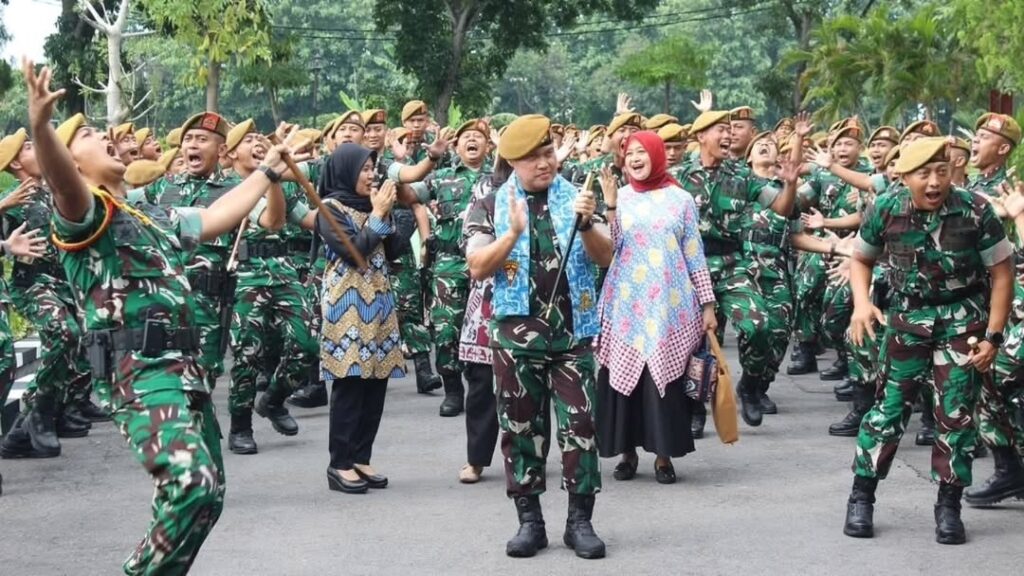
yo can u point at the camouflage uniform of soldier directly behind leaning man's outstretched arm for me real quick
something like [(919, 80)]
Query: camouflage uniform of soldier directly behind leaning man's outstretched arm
[(206, 271)]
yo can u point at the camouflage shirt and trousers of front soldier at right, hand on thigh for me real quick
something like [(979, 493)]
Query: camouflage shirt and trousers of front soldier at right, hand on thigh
[(938, 301)]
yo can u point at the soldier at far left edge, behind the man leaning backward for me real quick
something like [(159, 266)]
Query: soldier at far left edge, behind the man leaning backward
[(57, 401)]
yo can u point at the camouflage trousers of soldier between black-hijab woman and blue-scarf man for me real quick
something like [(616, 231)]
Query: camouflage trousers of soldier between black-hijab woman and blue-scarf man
[(451, 291)]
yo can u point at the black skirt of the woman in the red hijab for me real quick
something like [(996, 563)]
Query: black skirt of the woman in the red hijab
[(660, 426)]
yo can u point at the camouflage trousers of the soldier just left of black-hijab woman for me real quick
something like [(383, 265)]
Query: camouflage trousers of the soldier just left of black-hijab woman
[(263, 315)]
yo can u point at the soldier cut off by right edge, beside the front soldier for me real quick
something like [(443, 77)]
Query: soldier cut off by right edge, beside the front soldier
[(1001, 410)]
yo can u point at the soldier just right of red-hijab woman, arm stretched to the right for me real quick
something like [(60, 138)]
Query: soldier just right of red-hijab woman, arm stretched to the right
[(727, 195)]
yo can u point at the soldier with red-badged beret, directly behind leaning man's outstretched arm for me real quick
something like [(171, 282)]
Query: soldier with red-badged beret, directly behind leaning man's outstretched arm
[(202, 184)]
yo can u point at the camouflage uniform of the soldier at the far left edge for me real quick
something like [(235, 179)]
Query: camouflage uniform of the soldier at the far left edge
[(42, 296)]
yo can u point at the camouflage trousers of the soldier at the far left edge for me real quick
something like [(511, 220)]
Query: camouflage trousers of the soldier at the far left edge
[(64, 372)]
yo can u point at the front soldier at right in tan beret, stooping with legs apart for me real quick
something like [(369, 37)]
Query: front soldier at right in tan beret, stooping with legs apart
[(941, 242)]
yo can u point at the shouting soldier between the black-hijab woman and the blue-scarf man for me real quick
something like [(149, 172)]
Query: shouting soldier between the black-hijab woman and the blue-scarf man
[(450, 191)]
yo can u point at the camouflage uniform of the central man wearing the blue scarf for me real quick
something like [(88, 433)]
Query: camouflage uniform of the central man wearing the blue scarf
[(537, 361)]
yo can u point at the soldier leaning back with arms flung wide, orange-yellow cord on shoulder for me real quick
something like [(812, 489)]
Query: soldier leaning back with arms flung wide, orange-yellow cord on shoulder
[(126, 269)]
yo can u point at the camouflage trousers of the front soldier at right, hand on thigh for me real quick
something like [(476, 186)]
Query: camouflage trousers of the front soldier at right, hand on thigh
[(908, 360)]
